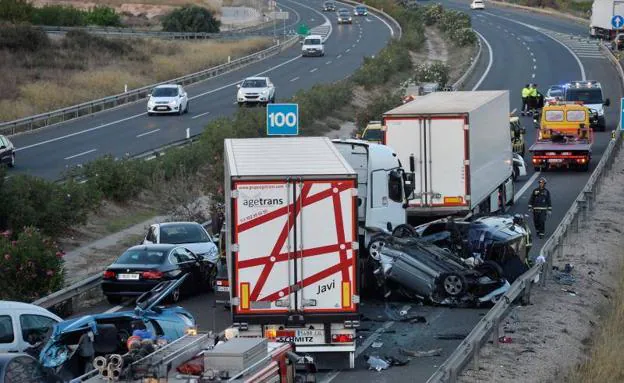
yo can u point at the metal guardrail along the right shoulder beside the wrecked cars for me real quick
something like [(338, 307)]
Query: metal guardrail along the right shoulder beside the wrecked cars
[(470, 347)]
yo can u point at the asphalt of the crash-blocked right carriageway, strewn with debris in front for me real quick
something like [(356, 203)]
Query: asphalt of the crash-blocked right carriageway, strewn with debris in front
[(515, 54)]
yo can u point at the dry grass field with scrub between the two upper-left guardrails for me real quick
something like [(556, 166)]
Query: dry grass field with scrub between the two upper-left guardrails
[(48, 74)]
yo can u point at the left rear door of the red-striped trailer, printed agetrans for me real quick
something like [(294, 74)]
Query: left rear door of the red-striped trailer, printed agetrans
[(264, 243)]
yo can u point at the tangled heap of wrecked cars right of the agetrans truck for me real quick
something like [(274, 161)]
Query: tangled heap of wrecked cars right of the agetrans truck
[(452, 262)]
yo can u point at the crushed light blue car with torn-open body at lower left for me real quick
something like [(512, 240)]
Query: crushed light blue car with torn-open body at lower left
[(74, 343)]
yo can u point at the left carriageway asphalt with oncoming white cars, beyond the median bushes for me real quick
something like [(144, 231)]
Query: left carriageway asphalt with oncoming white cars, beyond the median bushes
[(128, 130)]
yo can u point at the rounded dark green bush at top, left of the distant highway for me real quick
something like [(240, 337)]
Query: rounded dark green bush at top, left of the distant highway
[(191, 18)]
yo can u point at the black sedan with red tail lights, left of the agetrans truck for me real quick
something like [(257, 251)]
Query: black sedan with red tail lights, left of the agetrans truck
[(142, 267)]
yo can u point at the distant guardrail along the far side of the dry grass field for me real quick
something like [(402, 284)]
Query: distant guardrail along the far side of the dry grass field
[(131, 32)]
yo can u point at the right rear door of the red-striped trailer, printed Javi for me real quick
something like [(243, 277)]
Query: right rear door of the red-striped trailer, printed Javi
[(326, 246)]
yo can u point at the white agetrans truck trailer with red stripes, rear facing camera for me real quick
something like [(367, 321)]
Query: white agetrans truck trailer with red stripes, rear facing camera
[(292, 245)]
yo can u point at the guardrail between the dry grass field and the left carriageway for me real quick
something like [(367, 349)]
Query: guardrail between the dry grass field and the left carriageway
[(81, 110)]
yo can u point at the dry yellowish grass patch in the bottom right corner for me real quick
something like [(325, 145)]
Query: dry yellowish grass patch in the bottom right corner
[(604, 362)]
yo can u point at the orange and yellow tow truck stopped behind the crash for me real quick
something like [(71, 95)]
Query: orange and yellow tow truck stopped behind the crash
[(564, 136)]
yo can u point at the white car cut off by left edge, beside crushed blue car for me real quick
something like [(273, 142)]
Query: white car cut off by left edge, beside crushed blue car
[(23, 324)]
